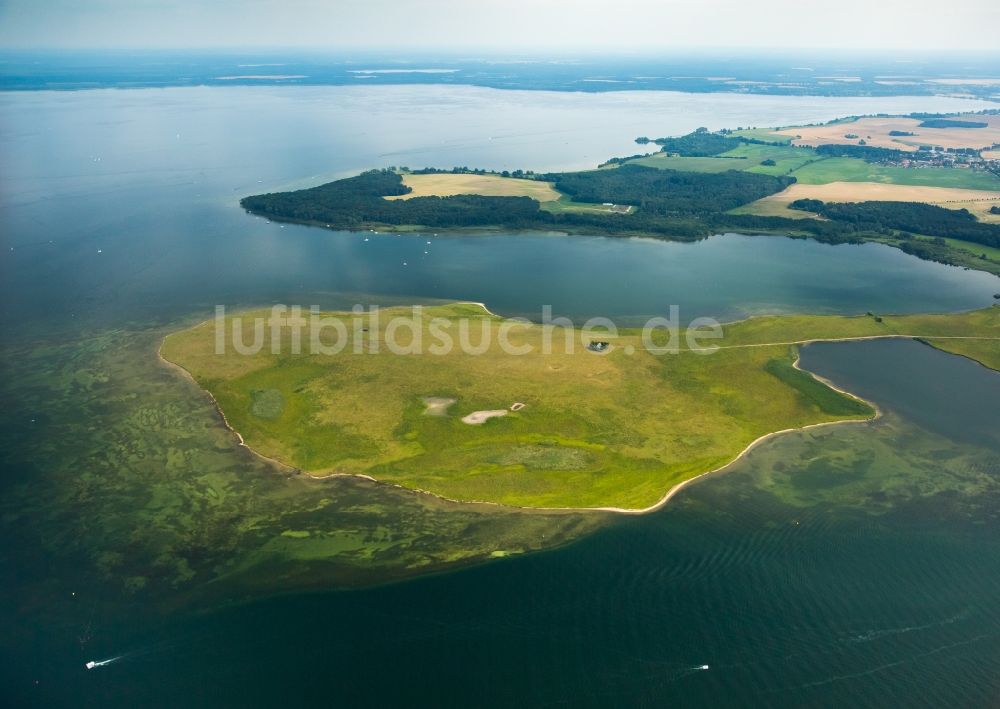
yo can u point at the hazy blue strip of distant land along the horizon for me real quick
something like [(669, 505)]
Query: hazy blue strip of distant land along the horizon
[(800, 73)]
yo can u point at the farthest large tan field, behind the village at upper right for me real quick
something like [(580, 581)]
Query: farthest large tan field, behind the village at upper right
[(875, 132)]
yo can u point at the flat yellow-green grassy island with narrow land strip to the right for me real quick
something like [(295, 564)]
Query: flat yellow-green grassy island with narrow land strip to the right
[(571, 428)]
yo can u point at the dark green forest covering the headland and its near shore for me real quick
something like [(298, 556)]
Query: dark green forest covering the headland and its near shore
[(669, 204)]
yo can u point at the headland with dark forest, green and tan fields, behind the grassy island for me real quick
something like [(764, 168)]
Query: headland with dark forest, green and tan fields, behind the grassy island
[(933, 201)]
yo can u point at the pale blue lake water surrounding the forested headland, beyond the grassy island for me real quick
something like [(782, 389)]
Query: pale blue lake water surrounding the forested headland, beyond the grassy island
[(122, 204)]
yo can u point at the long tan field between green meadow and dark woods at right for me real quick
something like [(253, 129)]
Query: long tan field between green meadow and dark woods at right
[(976, 201)]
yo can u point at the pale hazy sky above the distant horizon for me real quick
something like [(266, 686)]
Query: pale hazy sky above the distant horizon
[(518, 25)]
